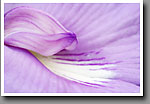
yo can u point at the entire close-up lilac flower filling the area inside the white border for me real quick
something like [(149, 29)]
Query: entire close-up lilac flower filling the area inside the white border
[(72, 48)]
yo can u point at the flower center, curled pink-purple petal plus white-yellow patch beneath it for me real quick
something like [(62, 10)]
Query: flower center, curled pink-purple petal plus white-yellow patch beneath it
[(44, 36)]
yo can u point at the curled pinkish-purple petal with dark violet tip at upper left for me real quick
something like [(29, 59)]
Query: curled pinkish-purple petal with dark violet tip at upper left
[(36, 31)]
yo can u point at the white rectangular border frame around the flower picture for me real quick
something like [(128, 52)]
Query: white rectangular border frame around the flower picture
[(72, 94)]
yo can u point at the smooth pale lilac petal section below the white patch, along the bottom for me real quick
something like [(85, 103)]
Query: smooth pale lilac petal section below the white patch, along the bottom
[(27, 74)]
